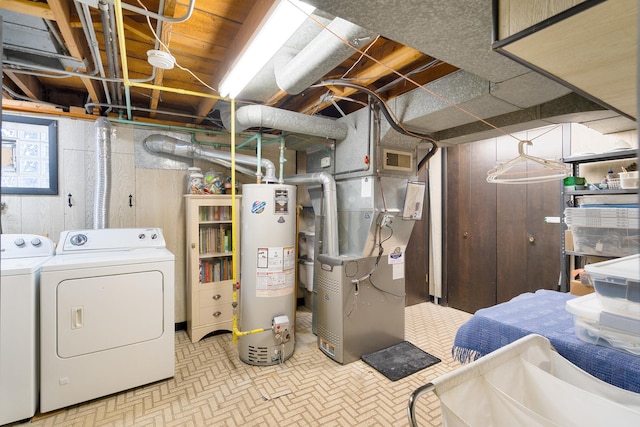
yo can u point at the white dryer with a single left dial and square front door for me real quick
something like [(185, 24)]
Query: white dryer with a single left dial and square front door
[(107, 314)]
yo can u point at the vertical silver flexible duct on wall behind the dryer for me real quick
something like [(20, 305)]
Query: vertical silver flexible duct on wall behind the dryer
[(102, 191)]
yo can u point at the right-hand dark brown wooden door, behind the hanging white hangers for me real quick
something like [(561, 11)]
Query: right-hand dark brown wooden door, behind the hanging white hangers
[(527, 245)]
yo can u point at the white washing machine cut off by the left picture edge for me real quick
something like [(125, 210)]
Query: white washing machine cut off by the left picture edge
[(21, 256)]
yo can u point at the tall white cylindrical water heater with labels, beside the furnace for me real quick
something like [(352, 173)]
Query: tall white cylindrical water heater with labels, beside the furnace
[(267, 273)]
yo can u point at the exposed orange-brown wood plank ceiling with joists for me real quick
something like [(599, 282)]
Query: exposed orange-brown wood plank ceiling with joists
[(205, 44)]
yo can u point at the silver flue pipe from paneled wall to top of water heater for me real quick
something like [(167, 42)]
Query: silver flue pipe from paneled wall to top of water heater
[(176, 147)]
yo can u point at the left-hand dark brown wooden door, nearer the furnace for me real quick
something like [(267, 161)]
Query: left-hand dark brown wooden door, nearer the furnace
[(470, 217)]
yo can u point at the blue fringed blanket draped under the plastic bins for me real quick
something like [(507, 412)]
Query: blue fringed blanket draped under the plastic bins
[(544, 313)]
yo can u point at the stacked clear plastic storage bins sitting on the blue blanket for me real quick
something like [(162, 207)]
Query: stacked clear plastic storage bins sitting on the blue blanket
[(611, 315)]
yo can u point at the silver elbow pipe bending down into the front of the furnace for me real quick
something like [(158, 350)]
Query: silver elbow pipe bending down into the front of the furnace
[(330, 206)]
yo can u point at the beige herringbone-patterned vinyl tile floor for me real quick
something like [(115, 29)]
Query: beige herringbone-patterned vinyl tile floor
[(212, 387)]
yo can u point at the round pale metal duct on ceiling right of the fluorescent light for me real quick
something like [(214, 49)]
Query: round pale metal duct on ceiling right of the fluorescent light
[(325, 52)]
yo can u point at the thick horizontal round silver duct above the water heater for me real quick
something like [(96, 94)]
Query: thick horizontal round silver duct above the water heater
[(261, 116)]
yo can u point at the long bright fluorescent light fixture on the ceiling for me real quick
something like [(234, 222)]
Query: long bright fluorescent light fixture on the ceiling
[(285, 19)]
